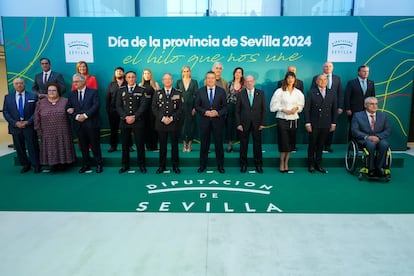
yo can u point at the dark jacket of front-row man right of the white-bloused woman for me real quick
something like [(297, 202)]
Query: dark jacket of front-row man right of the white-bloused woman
[(320, 112)]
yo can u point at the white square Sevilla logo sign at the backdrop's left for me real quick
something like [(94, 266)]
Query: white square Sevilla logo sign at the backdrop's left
[(78, 47)]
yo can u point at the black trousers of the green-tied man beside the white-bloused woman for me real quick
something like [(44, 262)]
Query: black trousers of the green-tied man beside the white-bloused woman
[(257, 145)]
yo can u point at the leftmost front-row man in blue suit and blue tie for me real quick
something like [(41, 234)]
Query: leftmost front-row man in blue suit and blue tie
[(18, 110)]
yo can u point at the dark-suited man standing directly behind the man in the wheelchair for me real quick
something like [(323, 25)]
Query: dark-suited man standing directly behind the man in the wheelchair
[(357, 90)]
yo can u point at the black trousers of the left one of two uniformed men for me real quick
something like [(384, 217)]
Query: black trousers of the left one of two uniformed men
[(139, 138)]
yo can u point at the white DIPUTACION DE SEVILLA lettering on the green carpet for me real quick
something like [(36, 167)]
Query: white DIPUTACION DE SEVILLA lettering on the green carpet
[(204, 195)]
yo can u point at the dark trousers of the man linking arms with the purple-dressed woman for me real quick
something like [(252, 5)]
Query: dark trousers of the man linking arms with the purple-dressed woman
[(90, 136)]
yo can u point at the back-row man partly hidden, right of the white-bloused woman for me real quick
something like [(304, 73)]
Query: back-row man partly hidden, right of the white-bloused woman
[(335, 85)]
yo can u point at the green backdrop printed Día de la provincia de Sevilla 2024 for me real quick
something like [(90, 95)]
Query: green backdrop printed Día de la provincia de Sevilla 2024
[(263, 46)]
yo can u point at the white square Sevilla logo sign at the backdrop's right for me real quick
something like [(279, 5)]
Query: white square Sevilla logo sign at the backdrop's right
[(342, 47)]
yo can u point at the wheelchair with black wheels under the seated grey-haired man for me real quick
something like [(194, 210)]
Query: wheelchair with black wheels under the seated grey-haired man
[(357, 157)]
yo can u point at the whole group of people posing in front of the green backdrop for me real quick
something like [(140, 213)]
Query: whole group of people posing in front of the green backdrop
[(149, 115)]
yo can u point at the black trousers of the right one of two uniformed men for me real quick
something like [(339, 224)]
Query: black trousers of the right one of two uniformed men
[(163, 137)]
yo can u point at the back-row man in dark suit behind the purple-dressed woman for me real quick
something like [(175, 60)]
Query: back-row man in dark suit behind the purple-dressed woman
[(47, 76)]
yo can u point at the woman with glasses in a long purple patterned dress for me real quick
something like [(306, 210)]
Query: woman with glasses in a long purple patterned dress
[(53, 127)]
